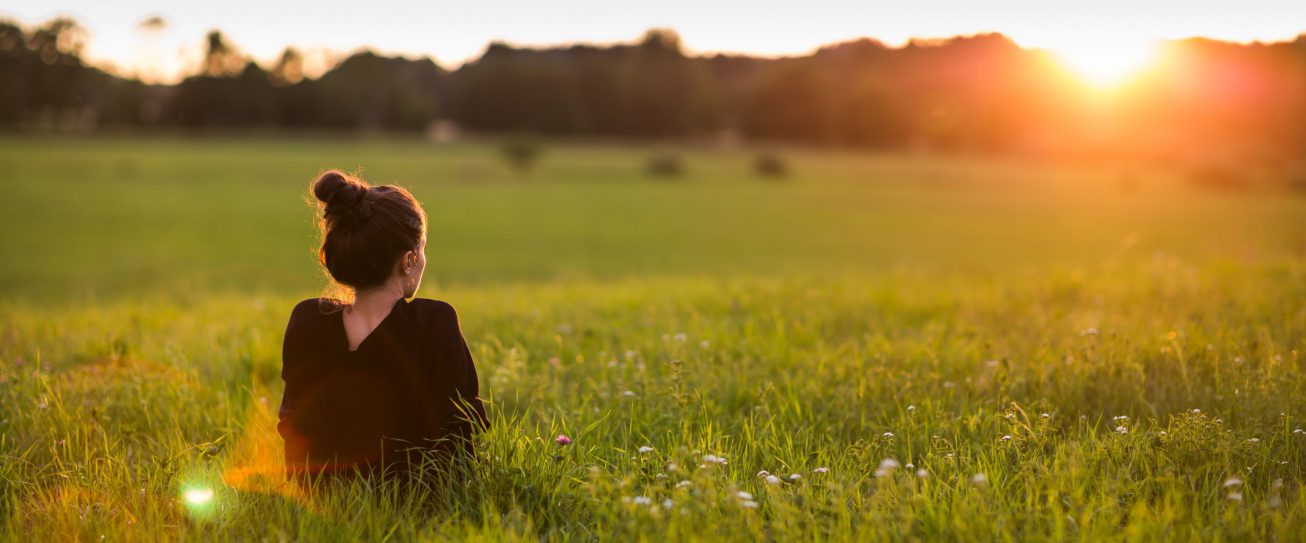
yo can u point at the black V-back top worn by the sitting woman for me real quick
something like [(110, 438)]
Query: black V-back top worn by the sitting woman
[(373, 408)]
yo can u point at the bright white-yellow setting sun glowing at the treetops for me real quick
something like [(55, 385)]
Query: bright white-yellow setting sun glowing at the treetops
[(1109, 63)]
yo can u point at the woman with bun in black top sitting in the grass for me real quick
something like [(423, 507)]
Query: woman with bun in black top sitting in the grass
[(381, 383)]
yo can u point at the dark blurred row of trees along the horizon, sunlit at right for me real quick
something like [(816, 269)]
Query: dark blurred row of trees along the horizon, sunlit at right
[(967, 93)]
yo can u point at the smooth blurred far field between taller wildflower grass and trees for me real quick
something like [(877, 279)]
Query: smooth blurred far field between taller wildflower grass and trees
[(112, 219)]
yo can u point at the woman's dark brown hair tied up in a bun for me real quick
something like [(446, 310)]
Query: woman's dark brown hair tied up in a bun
[(365, 229)]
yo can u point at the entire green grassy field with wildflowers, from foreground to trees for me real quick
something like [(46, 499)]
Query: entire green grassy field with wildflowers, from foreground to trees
[(917, 348)]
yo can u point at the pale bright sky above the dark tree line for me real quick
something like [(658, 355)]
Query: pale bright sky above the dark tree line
[(456, 32)]
